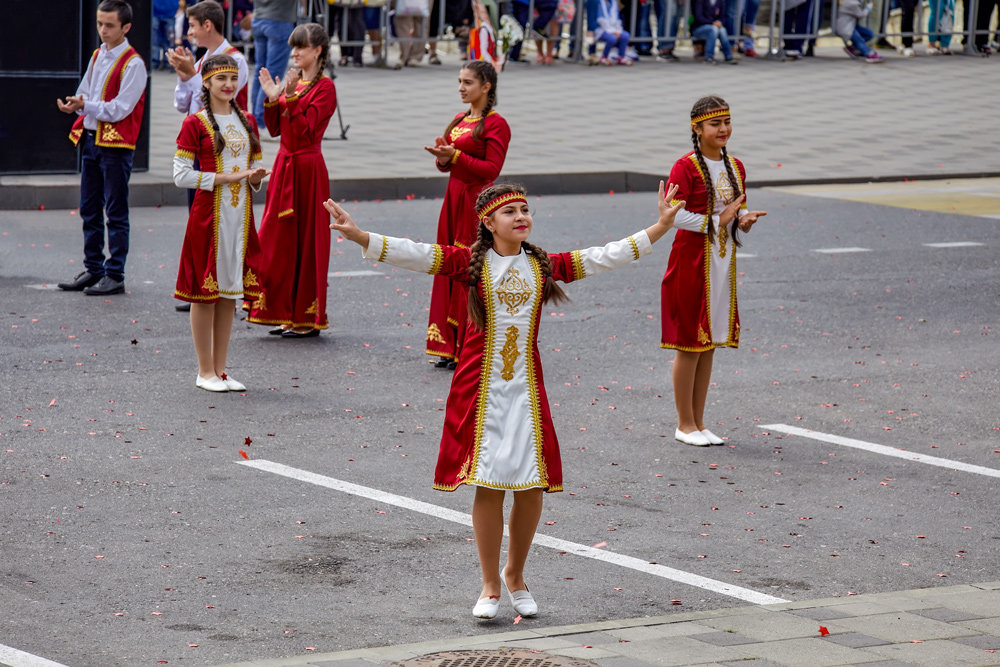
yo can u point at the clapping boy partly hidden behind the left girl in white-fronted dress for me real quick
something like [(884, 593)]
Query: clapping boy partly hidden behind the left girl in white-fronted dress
[(206, 28)]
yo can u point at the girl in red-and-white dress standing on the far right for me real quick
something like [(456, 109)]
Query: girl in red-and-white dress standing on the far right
[(699, 288)]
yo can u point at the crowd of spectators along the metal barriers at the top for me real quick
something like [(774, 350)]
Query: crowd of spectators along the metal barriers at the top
[(615, 31)]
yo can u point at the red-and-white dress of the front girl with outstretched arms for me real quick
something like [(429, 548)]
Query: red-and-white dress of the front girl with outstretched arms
[(498, 430)]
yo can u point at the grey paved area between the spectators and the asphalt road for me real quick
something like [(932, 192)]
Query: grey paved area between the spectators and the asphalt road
[(580, 129)]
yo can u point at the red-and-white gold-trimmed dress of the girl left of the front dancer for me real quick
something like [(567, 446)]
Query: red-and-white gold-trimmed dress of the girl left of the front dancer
[(220, 256)]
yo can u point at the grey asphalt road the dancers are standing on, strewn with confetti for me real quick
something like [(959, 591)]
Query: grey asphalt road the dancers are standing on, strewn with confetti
[(131, 534)]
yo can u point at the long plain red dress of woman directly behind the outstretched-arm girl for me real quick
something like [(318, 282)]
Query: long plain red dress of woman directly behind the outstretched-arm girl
[(474, 168)]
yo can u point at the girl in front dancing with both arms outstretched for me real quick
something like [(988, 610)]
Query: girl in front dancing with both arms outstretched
[(498, 433)]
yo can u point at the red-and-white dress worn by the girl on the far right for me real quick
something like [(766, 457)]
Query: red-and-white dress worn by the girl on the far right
[(698, 292)]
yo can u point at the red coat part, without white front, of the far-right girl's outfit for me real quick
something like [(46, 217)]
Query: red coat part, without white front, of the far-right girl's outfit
[(684, 303)]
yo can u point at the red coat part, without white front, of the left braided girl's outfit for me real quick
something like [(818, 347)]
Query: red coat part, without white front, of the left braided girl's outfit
[(196, 277)]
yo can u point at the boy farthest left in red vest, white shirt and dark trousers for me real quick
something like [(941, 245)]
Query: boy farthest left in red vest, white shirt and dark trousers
[(108, 103)]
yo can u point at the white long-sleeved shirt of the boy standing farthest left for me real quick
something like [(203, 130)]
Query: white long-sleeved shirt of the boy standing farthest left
[(133, 85)]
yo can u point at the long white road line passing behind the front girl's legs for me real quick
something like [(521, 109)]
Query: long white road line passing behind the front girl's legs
[(679, 576)]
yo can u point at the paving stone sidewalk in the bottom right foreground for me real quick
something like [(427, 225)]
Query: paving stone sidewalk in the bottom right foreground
[(948, 626)]
